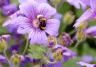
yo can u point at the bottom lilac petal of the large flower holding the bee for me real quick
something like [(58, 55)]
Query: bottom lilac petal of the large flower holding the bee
[(38, 37)]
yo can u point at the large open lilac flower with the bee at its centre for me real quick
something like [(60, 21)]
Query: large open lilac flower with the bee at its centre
[(37, 20)]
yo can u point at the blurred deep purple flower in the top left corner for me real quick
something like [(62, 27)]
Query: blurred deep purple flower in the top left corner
[(7, 8)]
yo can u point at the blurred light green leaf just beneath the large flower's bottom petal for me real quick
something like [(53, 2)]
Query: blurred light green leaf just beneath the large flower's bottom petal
[(37, 51)]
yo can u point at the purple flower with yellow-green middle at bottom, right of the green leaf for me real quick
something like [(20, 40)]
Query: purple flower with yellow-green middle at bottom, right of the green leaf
[(59, 55)]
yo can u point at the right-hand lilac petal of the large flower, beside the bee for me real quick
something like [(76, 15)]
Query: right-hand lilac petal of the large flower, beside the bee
[(52, 27)]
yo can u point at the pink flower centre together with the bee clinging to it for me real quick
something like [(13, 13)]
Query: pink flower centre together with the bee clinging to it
[(40, 22)]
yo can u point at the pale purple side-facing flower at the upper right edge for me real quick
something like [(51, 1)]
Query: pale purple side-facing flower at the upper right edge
[(89, 14)]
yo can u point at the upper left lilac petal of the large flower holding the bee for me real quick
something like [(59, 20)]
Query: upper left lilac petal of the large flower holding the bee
[(29, 9)]
